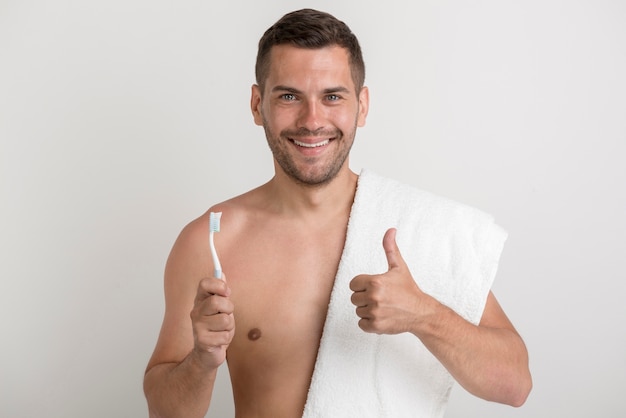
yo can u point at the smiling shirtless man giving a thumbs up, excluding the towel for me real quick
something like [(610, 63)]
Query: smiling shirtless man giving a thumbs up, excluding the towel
[(280, 247)]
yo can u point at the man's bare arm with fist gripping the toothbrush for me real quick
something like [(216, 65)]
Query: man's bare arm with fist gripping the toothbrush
[(196, 331)]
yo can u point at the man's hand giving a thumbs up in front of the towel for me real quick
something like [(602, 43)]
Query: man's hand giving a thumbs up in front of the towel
[(388, 303)]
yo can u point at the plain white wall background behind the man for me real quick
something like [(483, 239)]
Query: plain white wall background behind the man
[(120, 121)]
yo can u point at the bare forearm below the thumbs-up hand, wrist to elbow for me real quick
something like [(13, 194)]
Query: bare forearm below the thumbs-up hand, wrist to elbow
[(489, 362)]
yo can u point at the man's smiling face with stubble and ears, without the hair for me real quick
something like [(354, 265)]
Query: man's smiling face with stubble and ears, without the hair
[(310, 111)]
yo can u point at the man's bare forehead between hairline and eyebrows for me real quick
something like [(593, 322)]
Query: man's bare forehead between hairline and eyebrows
[(293, 65)]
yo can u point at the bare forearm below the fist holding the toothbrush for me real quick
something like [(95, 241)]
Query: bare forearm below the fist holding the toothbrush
[(179, 389)]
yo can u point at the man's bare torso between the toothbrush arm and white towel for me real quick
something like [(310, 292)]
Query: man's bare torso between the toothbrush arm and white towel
[(281, 272)]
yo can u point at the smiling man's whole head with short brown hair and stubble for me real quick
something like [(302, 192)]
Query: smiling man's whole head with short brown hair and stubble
[(309, 97)]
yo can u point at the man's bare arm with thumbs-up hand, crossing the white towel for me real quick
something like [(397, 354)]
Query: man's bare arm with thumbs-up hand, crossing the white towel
[(489, 360)]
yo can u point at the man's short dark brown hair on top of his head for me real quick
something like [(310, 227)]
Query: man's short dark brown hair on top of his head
[(311, 29)]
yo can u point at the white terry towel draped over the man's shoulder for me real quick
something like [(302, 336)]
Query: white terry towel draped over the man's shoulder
[(452, 251)]
